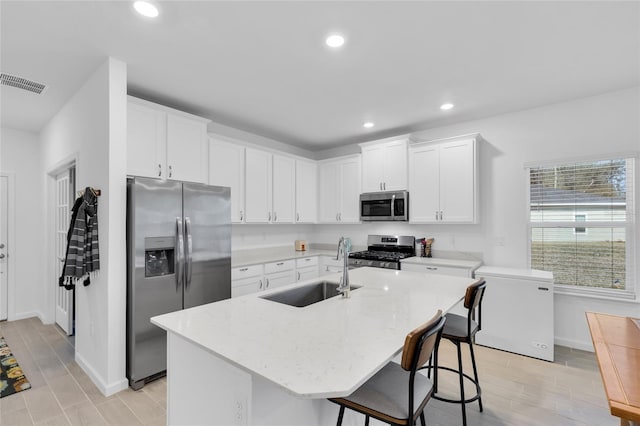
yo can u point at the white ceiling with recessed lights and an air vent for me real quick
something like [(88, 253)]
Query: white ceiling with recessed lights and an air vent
[(262, 66)]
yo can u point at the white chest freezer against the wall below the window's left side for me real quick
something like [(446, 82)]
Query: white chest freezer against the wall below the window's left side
[(518, 311)]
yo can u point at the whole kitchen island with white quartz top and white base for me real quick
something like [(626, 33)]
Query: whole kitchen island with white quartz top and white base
[(253, 361)]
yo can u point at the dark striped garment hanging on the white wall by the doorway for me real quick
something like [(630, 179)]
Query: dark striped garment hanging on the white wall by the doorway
[(82, 258)]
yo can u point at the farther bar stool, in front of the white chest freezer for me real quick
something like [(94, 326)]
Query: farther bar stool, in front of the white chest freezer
[(458, 330)]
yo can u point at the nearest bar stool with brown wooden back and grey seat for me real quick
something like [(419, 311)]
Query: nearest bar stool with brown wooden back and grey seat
[(396, 394)]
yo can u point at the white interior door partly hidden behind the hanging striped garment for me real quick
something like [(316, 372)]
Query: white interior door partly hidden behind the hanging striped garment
[(64, 199)]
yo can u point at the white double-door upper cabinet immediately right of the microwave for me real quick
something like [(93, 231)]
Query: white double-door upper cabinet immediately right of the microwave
[(443, 181)]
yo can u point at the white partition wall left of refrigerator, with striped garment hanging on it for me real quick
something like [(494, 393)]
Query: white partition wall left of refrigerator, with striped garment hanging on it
[(92, 127)]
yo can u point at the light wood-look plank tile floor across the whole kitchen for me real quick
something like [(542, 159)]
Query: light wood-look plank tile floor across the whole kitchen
[(516, 390)]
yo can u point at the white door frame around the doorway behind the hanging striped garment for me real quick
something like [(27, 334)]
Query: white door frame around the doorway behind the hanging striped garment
[(50, 293)]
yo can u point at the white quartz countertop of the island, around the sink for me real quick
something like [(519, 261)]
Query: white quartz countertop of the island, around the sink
[(327, 349)]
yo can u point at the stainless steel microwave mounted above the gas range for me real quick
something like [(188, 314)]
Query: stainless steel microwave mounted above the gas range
[(390, 205)]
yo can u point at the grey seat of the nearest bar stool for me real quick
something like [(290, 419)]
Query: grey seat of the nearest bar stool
[(387, 390)]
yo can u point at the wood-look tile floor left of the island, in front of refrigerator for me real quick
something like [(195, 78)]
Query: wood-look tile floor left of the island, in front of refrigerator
[(61, 393)]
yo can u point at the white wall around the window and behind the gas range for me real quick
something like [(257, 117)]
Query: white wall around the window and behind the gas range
[(592, 126)]
